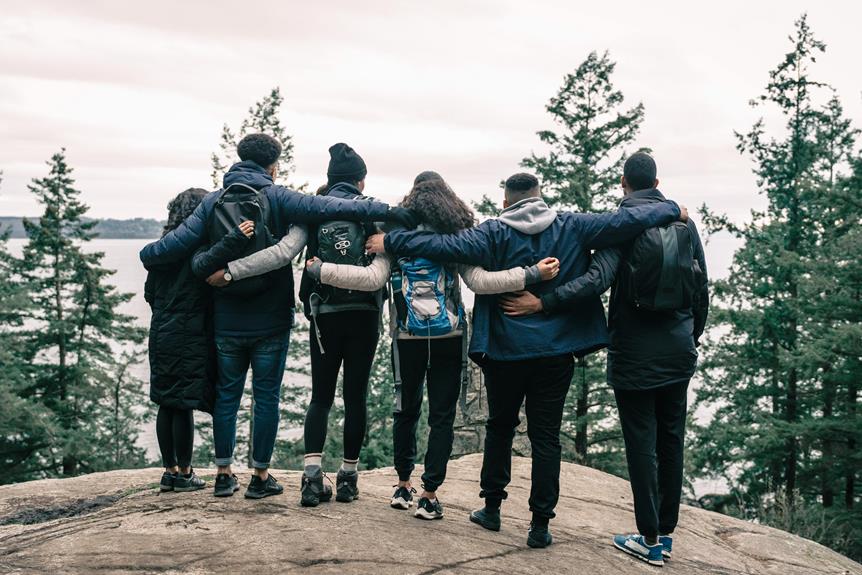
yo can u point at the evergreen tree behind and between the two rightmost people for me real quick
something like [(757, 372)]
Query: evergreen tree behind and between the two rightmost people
[(581, 170)]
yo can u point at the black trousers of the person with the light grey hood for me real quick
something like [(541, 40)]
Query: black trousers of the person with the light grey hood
[(543, 383)]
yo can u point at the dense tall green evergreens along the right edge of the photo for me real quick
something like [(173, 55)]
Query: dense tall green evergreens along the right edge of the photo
[(783, 363)]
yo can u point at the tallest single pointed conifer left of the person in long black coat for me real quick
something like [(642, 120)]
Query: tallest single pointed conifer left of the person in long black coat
[(74, 332)]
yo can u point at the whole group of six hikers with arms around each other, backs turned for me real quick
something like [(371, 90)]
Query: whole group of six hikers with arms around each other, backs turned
[(221, 288)]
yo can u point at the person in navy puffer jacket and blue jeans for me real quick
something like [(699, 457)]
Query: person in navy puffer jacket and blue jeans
[(254, 331)]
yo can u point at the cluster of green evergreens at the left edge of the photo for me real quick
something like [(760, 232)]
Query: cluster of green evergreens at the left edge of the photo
[(82, 411)]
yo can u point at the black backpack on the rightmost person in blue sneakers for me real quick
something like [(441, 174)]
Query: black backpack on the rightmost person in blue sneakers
[(660, 272)]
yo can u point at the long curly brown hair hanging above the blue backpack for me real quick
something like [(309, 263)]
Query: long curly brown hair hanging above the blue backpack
[(438, 206)]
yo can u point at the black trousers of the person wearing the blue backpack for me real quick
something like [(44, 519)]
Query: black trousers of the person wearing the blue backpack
[(444, 387)]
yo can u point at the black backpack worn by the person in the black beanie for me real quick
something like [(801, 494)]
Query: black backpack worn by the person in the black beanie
[(343, 242)]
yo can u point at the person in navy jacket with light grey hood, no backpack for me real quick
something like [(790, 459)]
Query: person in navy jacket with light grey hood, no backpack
[(531, 357)]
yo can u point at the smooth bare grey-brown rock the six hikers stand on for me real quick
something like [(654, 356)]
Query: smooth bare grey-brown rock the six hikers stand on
[(117, 522)]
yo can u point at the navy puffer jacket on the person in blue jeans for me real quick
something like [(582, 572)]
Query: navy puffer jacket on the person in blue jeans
[(272, 311)]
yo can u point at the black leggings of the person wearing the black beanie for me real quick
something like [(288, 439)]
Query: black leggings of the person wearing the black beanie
[(349, 337)]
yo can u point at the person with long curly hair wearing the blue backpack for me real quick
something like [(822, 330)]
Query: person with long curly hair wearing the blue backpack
[(417, 357)]
